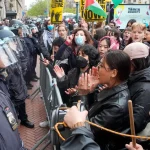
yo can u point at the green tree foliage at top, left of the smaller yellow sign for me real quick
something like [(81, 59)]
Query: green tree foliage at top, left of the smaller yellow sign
[(38, 8)]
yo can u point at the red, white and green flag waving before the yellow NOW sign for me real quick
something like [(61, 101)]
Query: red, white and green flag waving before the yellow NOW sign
[(95, 7)]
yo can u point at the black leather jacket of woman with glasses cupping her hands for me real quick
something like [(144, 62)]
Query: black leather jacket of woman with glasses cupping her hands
[(111, 111)]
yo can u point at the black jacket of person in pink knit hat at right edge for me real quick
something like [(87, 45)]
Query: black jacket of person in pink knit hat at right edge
[(139, 86)]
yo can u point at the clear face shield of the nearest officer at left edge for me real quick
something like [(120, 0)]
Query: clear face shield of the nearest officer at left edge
[(7, 56)]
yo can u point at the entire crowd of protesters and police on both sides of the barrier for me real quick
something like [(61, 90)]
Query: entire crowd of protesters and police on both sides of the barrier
[(103, 67)]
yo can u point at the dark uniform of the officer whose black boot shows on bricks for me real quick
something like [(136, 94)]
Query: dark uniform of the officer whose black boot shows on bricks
[(17, 90)]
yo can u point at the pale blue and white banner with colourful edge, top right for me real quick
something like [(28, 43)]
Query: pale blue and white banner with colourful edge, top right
[(123, 13)]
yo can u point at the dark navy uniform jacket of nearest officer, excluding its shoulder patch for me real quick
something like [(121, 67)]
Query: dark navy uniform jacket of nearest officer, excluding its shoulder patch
[(9, 139)]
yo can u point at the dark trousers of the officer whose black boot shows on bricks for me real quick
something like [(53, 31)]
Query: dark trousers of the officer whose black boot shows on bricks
[(21, 110)]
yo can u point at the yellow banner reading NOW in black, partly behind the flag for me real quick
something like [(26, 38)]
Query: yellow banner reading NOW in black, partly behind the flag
[(88, 15)]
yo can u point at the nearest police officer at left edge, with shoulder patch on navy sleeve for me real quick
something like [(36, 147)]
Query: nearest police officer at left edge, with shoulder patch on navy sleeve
[(9, 135)]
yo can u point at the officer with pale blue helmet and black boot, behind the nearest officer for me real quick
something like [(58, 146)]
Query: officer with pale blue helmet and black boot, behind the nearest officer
[(16, 83)]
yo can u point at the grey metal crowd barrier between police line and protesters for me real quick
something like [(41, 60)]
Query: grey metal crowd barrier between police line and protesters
[(51, 97)]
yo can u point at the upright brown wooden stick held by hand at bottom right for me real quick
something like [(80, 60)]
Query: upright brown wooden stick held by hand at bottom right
[(132, 122)]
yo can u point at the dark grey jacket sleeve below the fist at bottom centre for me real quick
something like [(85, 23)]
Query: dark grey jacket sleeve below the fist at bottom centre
[(81, 139)]
